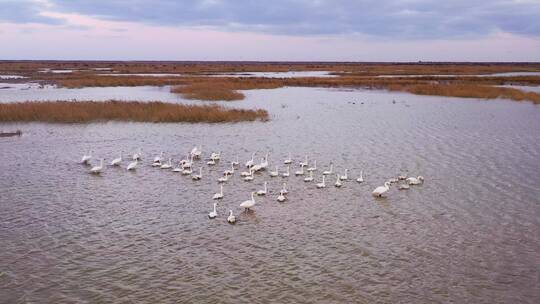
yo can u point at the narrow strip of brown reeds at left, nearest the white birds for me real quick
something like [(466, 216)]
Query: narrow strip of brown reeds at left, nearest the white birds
[(90, 111)]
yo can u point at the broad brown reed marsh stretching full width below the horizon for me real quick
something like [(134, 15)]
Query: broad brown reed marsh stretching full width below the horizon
[(205, 81)]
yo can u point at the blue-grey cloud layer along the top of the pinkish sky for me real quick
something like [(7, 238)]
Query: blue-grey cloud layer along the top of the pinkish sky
[(405, 19)]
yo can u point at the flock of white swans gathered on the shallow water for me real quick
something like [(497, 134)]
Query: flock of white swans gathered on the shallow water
[(185, 167)]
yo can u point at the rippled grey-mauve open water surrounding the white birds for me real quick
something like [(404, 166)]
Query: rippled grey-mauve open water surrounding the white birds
[(468, 235)]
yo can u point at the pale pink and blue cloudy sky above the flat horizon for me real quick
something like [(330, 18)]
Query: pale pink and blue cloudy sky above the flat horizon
[(279, 30)]
